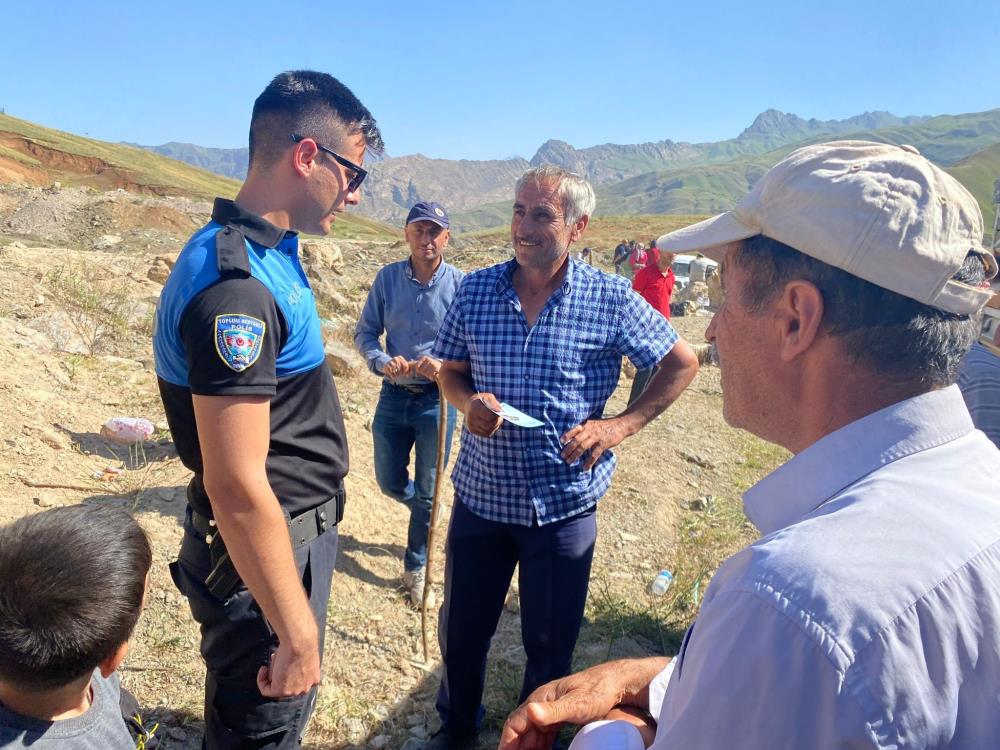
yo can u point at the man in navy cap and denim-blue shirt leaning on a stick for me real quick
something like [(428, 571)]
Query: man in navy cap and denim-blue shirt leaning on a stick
[(407, 301)]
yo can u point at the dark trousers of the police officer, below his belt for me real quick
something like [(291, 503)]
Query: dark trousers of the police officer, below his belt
[(235, 642)]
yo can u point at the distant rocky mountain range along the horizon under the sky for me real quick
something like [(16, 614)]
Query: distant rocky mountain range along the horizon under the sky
[(660, 177)]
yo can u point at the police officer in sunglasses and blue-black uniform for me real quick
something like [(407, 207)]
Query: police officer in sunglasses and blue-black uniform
[(255, 415)]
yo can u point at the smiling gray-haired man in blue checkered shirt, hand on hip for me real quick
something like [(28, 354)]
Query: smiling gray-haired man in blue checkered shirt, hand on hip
[(545, 334)]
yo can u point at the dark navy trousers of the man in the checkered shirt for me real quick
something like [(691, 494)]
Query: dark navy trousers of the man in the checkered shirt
[(553, 577)]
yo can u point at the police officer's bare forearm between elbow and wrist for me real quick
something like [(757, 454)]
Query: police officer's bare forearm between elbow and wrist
[(256, 535)]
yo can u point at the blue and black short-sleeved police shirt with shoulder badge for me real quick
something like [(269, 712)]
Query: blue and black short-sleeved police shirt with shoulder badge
[(237, 317)]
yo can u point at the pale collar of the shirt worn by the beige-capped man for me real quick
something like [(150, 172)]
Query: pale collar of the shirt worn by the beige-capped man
[(843, 457)]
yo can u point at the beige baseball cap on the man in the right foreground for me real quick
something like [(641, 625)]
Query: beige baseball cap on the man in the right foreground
[(881, 212)]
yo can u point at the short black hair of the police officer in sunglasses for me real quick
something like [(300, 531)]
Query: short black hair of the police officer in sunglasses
[(310, 104)]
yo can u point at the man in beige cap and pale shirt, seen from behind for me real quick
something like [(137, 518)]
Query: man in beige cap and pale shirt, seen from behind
[(868, 613)]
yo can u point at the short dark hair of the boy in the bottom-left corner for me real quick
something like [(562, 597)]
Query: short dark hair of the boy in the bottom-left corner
[(72, 582)]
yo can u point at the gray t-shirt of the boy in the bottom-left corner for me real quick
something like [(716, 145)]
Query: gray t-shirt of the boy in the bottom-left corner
[(101, 727)]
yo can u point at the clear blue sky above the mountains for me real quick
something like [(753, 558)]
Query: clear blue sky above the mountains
[(455, 80)]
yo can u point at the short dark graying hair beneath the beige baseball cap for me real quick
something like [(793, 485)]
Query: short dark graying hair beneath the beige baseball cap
[(891, 335)]
